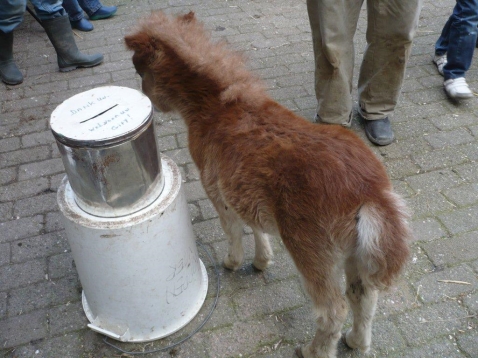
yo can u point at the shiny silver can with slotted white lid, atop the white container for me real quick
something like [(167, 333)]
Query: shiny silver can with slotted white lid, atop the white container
[(107, 142)]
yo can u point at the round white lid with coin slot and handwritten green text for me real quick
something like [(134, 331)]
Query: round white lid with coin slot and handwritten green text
[(101, 116)]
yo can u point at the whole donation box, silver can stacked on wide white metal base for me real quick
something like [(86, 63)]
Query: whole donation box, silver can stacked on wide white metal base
[(126, 217)]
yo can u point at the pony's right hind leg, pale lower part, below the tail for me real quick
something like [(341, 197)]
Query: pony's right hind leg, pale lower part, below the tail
[(363, 301)]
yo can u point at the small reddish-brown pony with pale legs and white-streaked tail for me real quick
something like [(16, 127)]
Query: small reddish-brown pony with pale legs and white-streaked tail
[(318, 187)]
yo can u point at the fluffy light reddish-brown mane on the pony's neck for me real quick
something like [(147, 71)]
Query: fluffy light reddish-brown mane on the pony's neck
[(192, 44)]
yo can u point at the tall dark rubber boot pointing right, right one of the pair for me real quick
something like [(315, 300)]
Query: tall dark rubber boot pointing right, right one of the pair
[(61, 36)]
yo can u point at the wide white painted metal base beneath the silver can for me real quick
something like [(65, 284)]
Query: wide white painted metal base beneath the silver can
[(141, 275)]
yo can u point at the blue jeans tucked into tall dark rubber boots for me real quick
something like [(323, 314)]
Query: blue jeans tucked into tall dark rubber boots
[(11, 12)]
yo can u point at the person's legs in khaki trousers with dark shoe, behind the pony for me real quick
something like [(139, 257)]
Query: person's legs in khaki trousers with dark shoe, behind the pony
[(391, 25)]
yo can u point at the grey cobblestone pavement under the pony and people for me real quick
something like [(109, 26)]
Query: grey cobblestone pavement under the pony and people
[(433, 164)]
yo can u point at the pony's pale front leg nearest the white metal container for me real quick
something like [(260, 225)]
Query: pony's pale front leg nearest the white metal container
[(233, 228)]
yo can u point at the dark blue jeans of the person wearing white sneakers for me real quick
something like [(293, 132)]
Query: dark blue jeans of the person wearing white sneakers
[(458, 39)]
